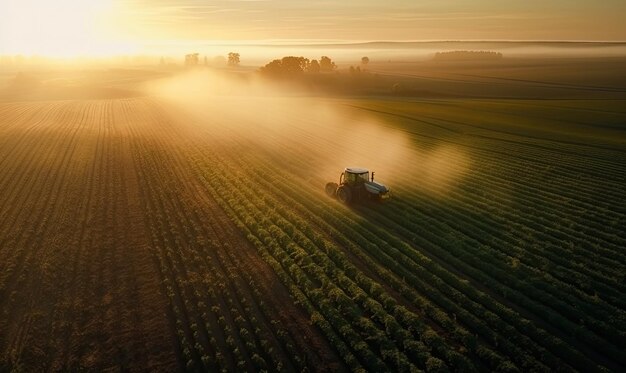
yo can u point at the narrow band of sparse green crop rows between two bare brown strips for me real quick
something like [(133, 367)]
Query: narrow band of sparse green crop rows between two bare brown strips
[(220, 318)]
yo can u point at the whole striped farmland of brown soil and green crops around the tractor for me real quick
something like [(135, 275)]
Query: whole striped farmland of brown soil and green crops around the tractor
[(193, 232)]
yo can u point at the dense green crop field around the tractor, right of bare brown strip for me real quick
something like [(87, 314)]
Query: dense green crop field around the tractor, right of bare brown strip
[(502, 246)]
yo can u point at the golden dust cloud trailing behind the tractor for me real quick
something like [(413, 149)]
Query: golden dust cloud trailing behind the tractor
[(285, 122)]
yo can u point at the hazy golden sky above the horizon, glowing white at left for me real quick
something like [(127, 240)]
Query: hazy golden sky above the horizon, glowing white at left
[(101, 27)]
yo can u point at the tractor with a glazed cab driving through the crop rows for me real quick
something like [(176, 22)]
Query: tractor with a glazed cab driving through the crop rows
[(355, 185)]
